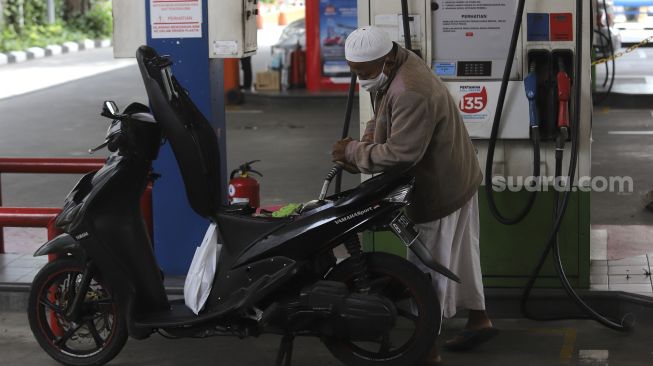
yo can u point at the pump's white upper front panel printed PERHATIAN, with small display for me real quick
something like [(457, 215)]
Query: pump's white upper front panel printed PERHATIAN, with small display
[(473, 34)]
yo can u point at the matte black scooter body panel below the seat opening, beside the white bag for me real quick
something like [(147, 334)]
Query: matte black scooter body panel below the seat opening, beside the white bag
[(238, 231)]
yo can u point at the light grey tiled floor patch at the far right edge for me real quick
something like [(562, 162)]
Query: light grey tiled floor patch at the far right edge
[(629, 274)]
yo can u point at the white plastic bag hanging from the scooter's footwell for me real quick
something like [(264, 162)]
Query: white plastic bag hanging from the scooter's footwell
[(199, 279)]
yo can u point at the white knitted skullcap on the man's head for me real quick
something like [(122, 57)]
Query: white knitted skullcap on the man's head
[(367, 44)]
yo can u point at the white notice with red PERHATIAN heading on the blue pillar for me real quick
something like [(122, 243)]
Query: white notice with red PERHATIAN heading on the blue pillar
[(176, 18)]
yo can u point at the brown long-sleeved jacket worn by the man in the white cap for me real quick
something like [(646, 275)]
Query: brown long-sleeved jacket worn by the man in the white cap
[(417, 122)]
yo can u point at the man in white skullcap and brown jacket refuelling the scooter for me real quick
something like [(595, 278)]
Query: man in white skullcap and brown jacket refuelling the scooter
[(417, 122)]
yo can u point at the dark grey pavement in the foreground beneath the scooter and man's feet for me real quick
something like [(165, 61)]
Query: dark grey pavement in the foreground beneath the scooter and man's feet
[(520, 342)]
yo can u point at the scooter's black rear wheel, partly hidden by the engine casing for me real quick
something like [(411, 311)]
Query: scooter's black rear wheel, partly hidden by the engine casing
[(418, 314)]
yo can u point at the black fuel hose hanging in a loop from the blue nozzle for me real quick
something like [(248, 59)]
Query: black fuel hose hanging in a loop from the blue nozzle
[(489, 192)]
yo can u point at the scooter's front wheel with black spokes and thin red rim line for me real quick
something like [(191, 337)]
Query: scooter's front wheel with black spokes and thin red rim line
[(92, 336)]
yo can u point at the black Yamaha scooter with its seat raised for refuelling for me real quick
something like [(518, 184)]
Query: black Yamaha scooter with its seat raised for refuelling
[(274, 275)]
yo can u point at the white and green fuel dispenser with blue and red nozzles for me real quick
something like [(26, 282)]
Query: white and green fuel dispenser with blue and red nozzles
[(469, 44)]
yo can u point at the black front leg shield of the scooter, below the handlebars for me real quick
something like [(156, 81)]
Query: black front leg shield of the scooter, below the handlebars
[(114, 235)]
